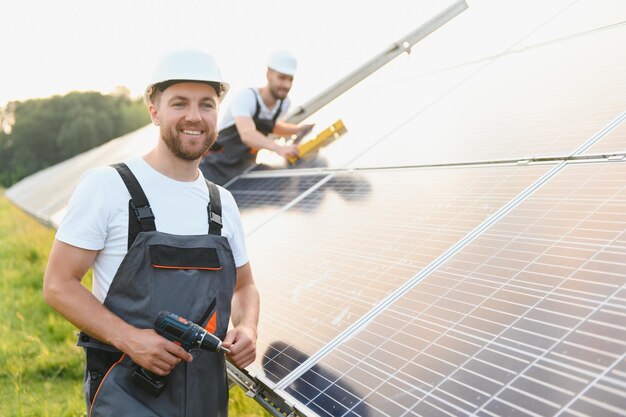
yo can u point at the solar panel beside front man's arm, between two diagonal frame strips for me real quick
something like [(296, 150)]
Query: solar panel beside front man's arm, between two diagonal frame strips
[(356, 239)]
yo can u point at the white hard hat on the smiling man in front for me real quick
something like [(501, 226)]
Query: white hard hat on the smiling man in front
[(187, 66)]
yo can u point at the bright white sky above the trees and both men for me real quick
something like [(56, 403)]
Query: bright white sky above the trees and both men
[(56, 46)]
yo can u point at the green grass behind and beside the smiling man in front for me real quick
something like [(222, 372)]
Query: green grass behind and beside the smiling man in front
[(41, 367)]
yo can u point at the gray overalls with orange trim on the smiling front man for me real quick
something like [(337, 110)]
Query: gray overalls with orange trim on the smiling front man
[(192, 276)]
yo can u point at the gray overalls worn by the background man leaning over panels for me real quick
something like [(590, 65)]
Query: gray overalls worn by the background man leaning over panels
[(229, 156)]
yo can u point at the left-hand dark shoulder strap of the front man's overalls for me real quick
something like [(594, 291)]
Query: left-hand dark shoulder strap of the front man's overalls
[(143, 219)]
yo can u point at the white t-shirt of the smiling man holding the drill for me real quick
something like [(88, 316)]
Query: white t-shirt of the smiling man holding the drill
[(97, 216)]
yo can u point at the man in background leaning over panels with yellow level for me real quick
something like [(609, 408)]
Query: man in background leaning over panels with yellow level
[(253, 114)]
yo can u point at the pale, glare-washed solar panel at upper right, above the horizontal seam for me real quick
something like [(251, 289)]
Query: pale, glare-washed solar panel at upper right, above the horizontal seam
[(525, 105)]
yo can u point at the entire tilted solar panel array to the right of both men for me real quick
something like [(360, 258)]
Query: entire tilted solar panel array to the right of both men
[(461, 250)]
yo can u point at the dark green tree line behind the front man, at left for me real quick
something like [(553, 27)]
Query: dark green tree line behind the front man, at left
[(38, 133)]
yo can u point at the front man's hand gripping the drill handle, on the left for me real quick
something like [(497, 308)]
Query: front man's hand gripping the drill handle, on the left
[(153, 352)]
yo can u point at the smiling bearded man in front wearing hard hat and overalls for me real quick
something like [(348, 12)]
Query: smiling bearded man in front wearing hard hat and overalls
[(158, 236)]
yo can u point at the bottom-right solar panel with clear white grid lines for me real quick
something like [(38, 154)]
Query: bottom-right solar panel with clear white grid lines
[(528, 319)]
